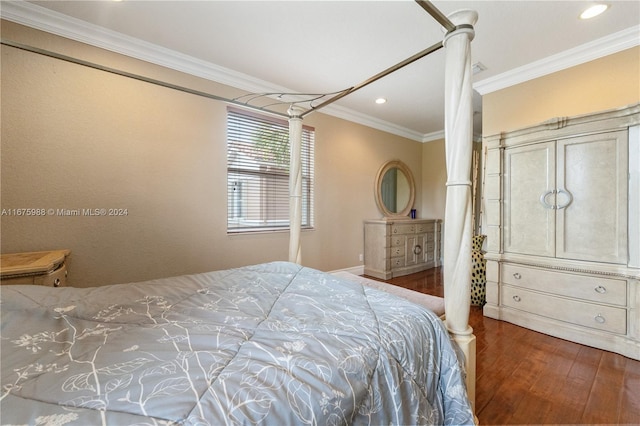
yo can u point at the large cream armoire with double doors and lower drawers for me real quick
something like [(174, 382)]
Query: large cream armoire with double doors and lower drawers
[(561, 211)]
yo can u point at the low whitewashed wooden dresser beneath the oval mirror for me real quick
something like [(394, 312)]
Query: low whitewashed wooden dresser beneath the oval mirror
[(396, 247)]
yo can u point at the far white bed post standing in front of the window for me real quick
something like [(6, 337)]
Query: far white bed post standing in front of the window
[(295, 184)]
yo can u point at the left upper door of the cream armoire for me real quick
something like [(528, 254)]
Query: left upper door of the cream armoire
[(529, 180)]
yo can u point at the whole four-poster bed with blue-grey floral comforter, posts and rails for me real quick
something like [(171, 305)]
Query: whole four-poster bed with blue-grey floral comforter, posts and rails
[(176, 362)]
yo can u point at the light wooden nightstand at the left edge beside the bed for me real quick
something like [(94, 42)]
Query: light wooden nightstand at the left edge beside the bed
[(41, 268)]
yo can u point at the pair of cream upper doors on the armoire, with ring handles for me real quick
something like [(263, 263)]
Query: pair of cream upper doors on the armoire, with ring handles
[(568, 199)]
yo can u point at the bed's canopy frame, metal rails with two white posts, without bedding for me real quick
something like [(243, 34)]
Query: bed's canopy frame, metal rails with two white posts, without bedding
[(459, 33)]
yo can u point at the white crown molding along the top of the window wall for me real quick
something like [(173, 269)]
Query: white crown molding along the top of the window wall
[(44, 19)]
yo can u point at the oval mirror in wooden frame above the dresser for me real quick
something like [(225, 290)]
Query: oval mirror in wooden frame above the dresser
[(395, 189)]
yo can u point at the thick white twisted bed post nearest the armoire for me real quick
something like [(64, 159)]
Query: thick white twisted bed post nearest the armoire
[(459, 147)]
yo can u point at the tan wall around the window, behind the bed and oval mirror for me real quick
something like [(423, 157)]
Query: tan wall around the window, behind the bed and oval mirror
[(77, 138)]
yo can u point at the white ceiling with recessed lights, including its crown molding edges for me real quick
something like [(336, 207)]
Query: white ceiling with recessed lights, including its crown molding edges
[(325, 46)]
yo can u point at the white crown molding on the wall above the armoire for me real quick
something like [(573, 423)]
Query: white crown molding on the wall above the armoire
[(596, 49)]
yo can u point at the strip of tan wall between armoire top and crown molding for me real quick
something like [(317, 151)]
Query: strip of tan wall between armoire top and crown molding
[(602, 84)]
